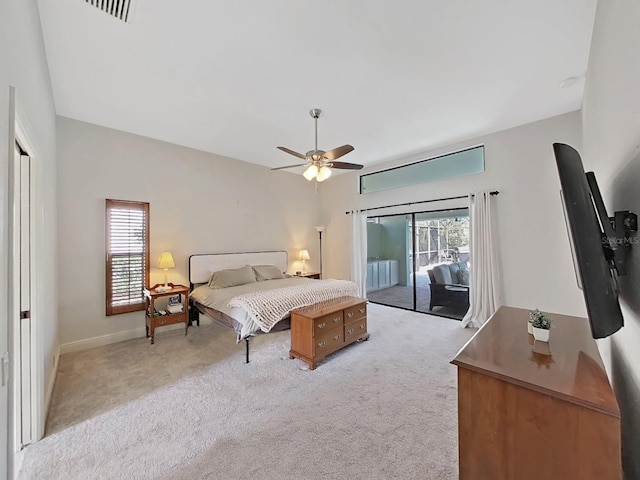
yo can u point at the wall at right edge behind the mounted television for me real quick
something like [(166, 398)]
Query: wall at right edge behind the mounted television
[(611, 123)]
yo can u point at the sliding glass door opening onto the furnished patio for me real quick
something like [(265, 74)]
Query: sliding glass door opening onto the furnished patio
[(420, 261)]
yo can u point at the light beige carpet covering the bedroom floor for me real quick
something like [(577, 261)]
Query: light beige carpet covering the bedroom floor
[(190, 408)]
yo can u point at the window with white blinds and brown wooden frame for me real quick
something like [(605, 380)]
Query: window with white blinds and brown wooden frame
[(127, 243)]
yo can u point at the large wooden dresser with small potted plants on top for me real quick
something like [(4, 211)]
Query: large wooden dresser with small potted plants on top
[(532, 410)]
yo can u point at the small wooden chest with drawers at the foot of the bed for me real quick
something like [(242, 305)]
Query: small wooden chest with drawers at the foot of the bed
[(321, 329)]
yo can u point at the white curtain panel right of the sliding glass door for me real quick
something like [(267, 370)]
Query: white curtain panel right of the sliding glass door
[(484, 295)]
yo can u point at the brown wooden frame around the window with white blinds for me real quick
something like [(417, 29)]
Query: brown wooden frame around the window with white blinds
[(134, 306)]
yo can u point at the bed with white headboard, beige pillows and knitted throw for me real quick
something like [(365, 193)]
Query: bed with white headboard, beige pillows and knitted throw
[(251, 293)]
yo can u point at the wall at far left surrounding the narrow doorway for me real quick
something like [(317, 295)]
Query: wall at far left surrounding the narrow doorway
[(23, 65)]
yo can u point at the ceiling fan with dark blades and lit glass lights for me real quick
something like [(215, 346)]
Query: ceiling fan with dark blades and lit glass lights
[(318, 162)]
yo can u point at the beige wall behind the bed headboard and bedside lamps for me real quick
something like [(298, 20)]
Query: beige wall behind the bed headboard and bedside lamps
[(199, 203)]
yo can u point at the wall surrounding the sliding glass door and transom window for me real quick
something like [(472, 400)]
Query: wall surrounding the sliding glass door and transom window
[(537, 270)]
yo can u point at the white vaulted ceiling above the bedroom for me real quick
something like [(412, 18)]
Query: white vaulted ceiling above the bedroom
[(238, 78)]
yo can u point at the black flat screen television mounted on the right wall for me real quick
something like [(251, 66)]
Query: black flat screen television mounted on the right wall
[(592, 242)]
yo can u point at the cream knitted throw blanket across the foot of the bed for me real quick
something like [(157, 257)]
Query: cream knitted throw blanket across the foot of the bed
[(269, 307)]
